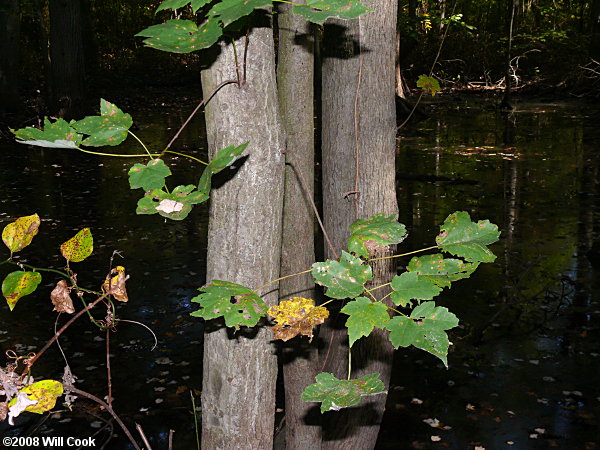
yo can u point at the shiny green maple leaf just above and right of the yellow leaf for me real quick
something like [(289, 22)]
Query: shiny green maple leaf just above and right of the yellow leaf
[(345, 278)]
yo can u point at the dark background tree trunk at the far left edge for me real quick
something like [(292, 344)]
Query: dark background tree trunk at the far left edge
[(9, 56)]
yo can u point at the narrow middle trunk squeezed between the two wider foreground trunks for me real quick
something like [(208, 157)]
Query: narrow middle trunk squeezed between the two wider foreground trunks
[(295, 76)]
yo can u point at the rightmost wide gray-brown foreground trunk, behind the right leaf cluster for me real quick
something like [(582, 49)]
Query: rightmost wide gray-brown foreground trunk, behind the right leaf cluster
[(359, 180)]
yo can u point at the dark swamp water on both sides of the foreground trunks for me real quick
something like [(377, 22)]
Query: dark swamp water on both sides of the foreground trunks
[(525, 368)]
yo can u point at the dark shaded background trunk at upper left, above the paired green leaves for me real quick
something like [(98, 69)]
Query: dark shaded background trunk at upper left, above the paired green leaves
[(67, 58)]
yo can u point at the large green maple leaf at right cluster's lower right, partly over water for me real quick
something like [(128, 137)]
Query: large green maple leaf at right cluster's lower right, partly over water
[(424, 329)]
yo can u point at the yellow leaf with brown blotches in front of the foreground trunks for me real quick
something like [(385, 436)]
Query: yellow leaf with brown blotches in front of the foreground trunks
[(296, 316)]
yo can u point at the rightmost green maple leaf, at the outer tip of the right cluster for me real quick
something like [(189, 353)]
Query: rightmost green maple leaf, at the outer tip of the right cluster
[(469, 240)]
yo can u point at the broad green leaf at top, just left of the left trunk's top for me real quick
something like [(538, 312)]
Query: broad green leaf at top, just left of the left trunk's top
[(182, 36)]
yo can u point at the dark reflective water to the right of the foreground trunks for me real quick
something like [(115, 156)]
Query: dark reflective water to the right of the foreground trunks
[(525, 366)]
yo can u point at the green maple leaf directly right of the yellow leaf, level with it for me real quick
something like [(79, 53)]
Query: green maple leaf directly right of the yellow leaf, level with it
[(364, 316)]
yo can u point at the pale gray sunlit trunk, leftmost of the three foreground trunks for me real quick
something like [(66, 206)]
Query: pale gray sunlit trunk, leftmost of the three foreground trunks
[(244, 244)]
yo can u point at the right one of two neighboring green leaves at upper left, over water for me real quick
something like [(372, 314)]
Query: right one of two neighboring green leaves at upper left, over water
[(109, 128)]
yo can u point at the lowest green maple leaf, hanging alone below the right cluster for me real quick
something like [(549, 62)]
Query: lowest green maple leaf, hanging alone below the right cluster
[(334, 394)]
